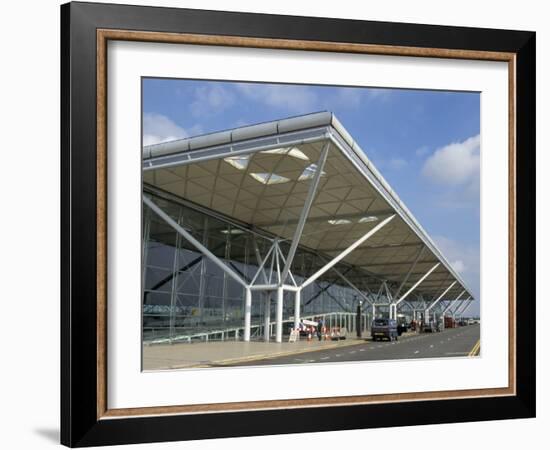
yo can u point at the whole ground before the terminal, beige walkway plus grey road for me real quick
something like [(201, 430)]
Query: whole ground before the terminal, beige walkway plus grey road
[(454, 342)]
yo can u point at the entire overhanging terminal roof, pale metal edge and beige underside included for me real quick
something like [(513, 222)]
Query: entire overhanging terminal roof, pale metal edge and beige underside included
[(260, 175)]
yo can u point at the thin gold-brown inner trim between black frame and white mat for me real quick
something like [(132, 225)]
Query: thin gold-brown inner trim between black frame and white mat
[(104, 35)]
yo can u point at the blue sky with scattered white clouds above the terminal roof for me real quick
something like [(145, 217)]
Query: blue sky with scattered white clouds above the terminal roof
[(425, 143)]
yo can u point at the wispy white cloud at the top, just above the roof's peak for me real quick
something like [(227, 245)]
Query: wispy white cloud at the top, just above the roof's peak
[(295, 99)]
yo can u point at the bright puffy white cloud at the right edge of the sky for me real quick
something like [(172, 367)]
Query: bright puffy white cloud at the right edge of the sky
[(454, 164)]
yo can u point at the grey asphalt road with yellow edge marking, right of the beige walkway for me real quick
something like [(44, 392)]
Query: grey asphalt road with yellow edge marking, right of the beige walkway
[(449, 343)]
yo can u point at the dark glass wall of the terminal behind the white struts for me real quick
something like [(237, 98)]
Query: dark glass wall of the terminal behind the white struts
[(187, 296)]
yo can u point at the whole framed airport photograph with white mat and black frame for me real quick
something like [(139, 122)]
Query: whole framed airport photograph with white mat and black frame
[(277, 224)]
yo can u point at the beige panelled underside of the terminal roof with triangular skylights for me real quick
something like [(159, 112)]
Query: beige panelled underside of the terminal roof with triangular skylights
[(263, 185)]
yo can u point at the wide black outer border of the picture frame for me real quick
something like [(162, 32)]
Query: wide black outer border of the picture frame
[(80, 425)]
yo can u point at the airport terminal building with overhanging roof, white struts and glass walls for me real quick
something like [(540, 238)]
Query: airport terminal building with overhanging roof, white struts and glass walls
[(249, 231)]
